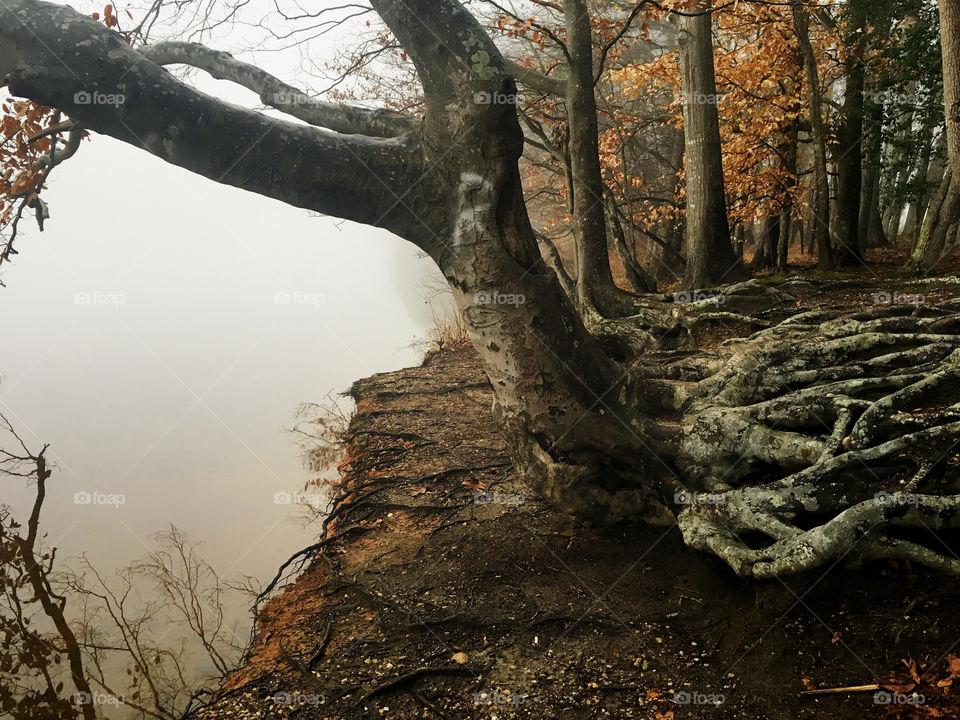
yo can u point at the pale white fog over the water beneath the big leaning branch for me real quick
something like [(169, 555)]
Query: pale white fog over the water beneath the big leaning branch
[(160, 333)]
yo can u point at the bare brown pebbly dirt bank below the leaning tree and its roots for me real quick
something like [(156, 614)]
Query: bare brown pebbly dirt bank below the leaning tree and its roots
[(441, 590)]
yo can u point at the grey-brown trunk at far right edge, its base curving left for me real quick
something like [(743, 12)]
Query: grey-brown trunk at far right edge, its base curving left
[(937, 226)]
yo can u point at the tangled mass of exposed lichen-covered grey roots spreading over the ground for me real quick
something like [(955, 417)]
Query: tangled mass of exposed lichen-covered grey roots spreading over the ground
[(819, 440)]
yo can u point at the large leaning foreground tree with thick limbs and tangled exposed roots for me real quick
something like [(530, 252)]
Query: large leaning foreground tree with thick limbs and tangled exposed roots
[(789, 431)]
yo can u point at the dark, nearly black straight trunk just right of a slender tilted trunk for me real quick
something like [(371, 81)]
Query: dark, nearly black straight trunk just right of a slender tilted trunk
[(849, 150)]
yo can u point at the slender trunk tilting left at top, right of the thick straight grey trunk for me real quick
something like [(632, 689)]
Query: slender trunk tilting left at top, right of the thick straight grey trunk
[(821, 194)]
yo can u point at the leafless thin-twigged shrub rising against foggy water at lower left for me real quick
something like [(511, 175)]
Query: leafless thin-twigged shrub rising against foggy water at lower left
[(125, 622)]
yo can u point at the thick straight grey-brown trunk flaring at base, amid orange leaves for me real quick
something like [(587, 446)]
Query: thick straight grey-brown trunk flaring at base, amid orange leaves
[(710, 256)]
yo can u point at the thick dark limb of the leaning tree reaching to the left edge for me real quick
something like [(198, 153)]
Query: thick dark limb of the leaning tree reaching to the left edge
[(55, 56)]
